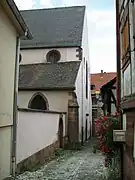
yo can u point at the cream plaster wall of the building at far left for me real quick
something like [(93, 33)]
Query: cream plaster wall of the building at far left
[(7, 68)]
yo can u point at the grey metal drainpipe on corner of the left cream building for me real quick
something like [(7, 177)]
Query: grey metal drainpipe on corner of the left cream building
[(14, 135)]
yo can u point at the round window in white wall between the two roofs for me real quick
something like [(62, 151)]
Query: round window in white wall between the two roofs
[(53, 56)]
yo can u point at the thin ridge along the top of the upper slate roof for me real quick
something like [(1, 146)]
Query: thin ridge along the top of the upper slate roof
[(62, 7)]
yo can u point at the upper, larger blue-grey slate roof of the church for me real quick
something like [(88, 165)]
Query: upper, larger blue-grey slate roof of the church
[(55, 27)]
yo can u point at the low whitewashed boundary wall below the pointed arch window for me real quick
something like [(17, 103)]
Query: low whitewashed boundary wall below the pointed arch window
[(33, 136)]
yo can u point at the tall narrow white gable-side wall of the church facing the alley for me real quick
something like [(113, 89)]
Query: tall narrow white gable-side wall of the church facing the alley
[(84, 103)]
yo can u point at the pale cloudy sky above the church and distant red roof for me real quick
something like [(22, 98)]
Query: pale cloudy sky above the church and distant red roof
[(101, 27)]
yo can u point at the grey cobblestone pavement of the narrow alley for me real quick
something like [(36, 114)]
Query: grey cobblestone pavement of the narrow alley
[(72, 165)]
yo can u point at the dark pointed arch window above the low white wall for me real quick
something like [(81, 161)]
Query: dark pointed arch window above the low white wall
[(38, 101)]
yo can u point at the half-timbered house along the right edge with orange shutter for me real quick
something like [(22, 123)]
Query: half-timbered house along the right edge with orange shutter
[(125, 13)]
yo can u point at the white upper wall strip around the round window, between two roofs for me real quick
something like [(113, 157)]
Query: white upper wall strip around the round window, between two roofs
[(31, 56)]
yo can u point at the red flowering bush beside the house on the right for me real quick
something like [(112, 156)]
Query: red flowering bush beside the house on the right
[(104, 127)]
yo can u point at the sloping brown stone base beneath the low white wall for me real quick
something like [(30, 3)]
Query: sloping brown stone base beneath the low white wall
[(38, 158)]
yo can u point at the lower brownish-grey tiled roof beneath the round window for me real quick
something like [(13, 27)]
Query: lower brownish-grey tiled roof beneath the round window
[(48, 76)]
